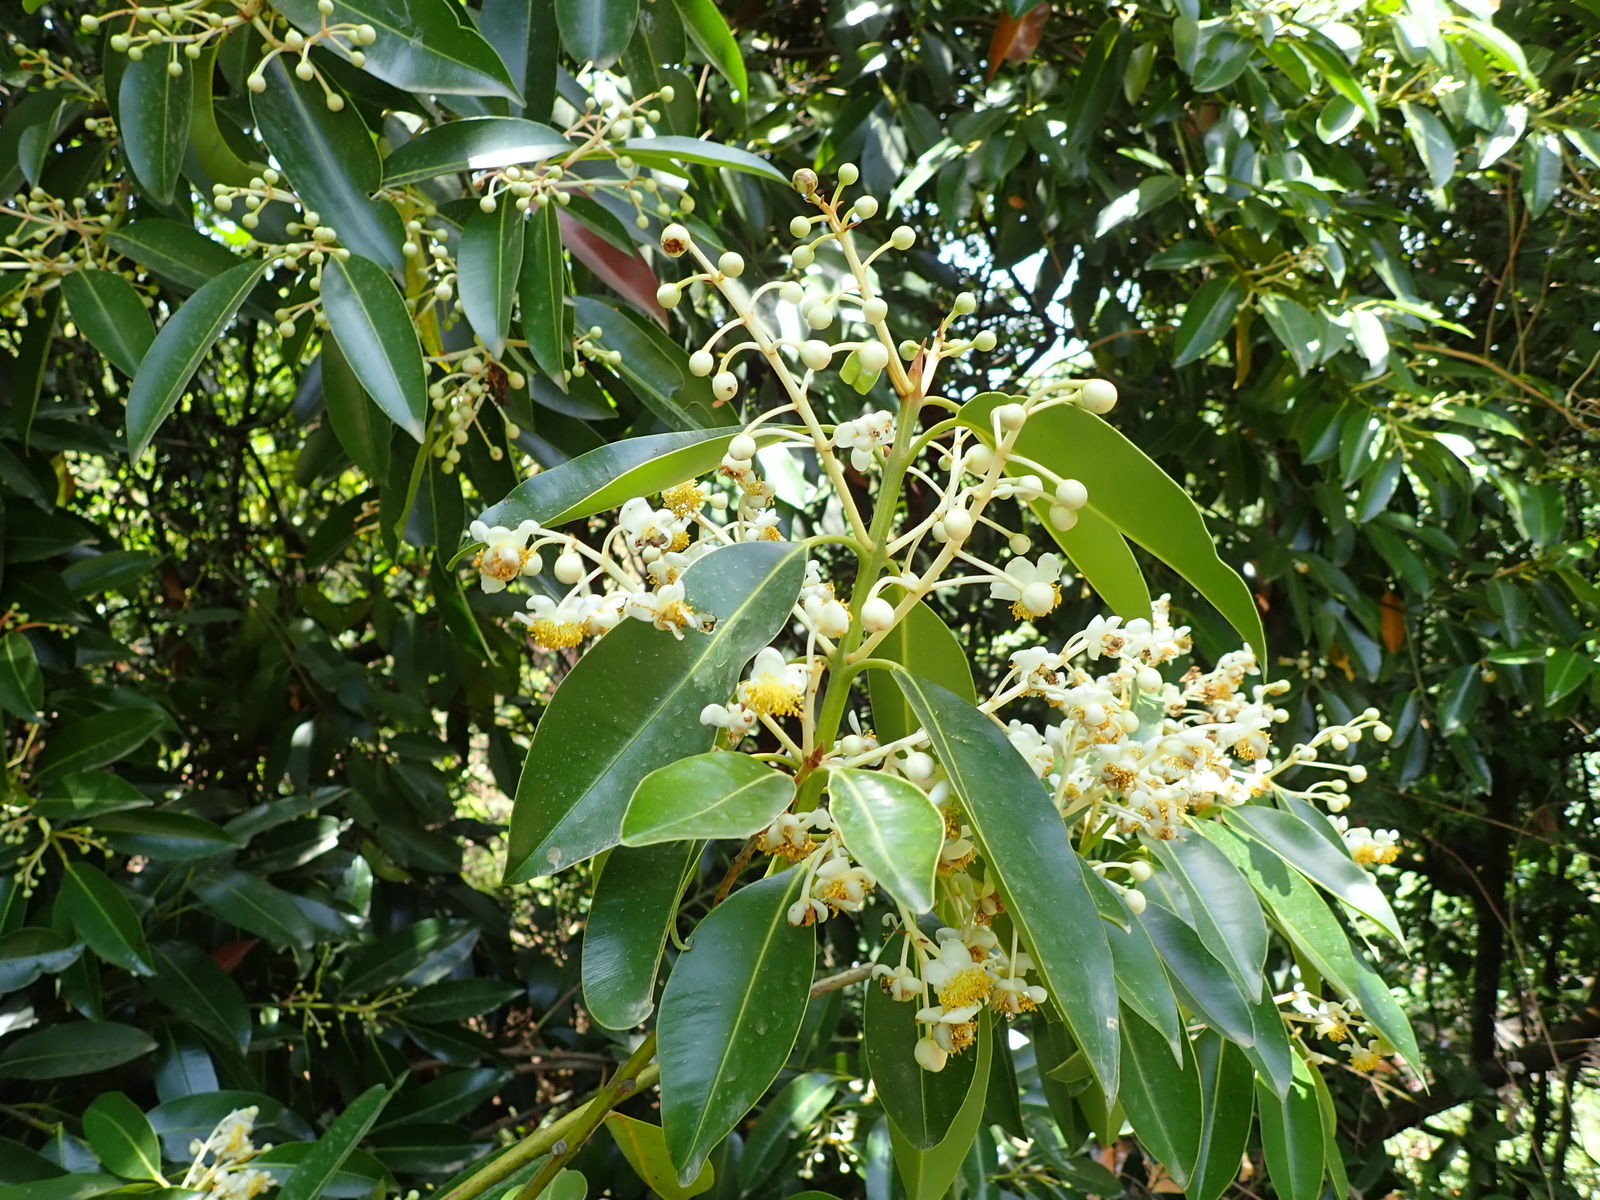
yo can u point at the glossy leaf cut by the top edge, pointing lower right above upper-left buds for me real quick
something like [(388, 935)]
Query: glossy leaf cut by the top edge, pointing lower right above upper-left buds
[(422, 46)]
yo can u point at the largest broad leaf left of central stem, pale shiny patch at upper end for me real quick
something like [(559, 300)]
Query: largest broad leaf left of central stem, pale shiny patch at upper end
[(634, 703)]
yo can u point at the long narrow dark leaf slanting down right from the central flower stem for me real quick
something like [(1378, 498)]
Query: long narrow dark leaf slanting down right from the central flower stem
[(1038, 871)]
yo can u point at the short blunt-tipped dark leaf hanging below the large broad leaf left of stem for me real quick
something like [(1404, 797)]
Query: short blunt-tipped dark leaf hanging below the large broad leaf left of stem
[(633, 911)]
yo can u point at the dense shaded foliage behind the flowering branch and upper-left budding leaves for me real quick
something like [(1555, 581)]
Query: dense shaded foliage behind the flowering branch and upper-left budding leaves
[(1342, 265)]
